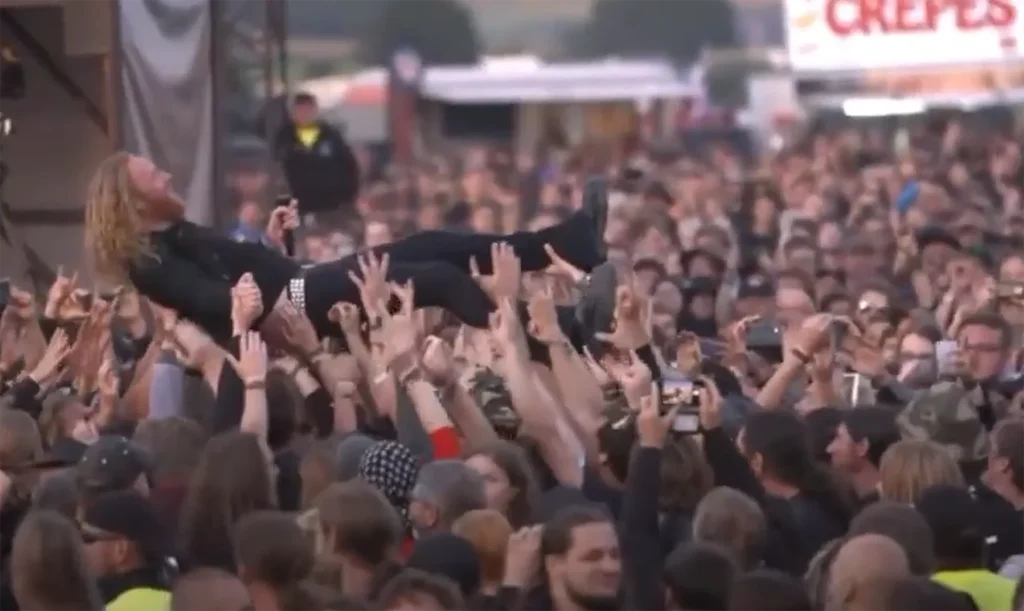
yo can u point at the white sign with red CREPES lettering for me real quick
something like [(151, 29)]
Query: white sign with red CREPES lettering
[(839, 35)]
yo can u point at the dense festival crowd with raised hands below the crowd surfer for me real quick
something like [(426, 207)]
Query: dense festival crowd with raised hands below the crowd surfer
[(786, 384)]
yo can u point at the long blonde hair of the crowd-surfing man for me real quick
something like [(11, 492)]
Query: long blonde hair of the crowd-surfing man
[(115, 235)]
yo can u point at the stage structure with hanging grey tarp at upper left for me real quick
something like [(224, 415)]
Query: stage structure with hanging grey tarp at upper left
[(162, 78)]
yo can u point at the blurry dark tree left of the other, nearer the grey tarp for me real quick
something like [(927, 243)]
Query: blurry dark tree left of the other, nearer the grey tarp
[(443, 32)]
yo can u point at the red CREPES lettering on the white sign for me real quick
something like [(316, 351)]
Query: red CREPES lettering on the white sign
[(846, 18)]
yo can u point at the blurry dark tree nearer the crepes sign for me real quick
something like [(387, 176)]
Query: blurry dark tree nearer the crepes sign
[(679, 30)]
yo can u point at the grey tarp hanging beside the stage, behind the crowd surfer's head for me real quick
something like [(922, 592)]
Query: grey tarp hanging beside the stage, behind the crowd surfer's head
[(167, 94)]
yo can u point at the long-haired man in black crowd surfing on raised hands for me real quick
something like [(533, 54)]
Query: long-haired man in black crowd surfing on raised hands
[(136, 230)]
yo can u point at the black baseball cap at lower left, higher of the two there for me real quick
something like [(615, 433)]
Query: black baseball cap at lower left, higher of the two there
[(113, 463)]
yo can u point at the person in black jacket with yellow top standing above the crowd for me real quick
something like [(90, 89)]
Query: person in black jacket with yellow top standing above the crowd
[(319, 164)]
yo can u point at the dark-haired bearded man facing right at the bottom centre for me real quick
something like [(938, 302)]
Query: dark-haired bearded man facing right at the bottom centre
[(581, 559)]
